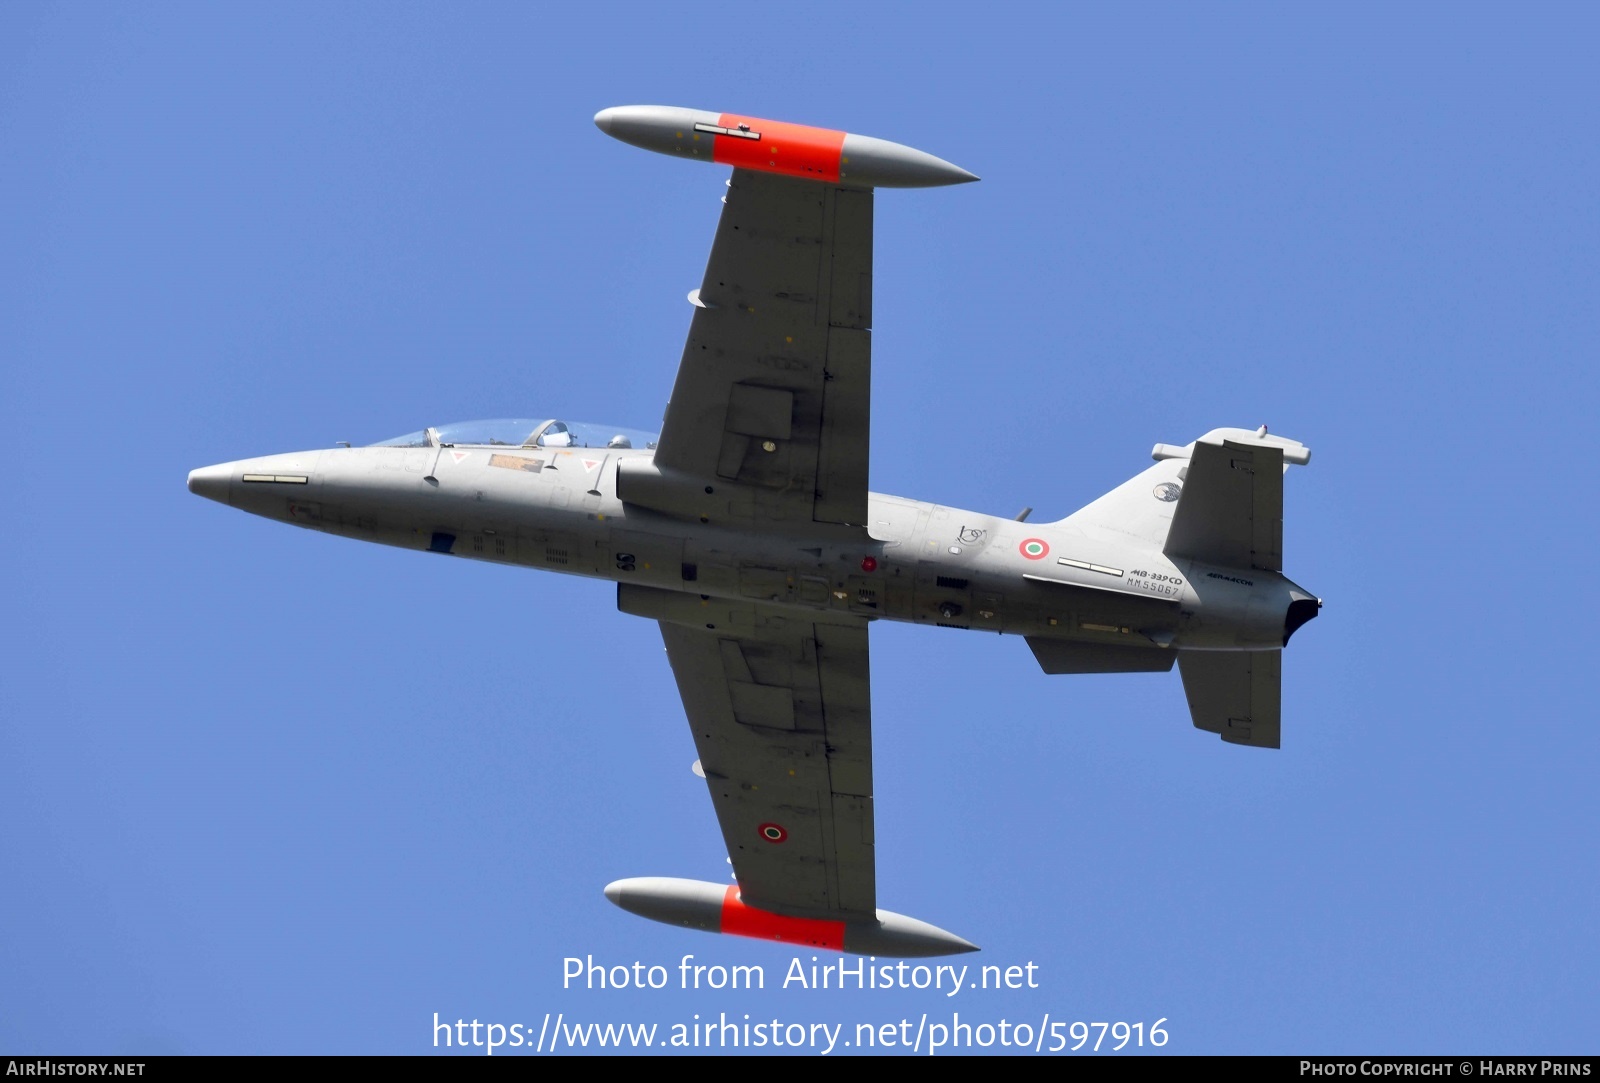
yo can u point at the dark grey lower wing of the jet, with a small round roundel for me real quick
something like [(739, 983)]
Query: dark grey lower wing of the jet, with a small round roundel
[(783, 724)]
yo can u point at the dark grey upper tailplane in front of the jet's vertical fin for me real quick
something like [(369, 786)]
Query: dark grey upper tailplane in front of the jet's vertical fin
[(1231, 508)]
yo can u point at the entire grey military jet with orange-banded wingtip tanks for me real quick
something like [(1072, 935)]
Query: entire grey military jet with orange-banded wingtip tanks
[(748, 532)]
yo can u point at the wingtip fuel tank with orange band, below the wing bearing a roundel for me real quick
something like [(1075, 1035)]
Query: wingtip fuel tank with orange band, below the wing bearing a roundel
[(716, 908)]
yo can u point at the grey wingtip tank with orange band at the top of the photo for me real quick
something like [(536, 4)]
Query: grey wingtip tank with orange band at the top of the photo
[(775, 146)]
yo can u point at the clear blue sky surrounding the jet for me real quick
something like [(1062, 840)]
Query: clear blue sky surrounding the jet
[(268, 791)]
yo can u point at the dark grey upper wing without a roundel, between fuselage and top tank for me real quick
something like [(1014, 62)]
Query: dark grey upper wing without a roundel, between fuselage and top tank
[(772, 398)]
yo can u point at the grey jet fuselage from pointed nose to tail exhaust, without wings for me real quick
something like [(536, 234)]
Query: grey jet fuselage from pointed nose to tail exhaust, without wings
[(1087, 578)]
